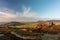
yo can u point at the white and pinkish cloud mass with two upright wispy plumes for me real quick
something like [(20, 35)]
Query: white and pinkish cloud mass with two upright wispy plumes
[(10, 15)]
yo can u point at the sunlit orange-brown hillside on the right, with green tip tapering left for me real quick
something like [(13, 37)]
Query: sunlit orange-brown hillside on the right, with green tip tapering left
[(46, 27)]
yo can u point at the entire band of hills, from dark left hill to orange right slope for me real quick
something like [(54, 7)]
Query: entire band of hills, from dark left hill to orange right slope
[(44, 26)]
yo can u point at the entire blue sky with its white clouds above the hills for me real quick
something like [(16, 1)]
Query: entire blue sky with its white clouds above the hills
[(29, 10)]
